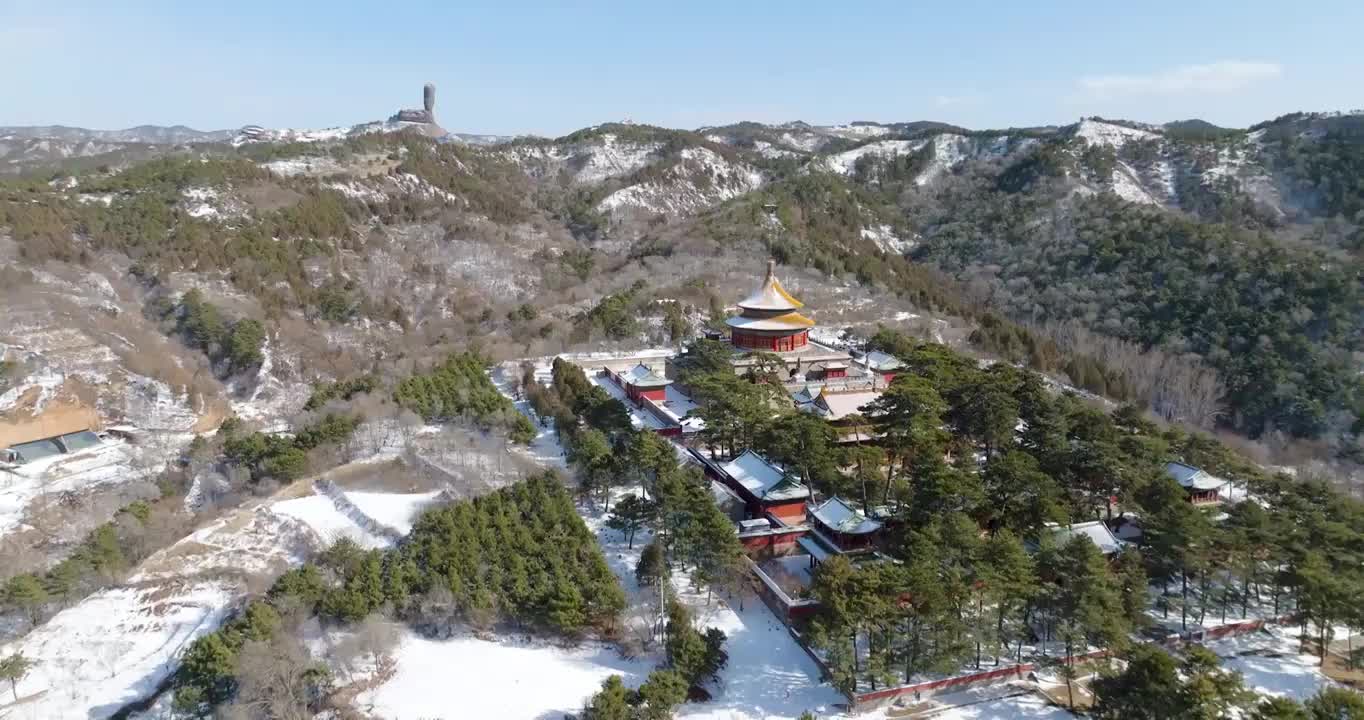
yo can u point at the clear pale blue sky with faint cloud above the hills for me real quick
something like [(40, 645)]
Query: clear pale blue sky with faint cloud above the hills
[(553, 67)]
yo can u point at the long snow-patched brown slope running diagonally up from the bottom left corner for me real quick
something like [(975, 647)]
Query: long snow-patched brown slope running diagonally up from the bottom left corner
[(117, 646)]
